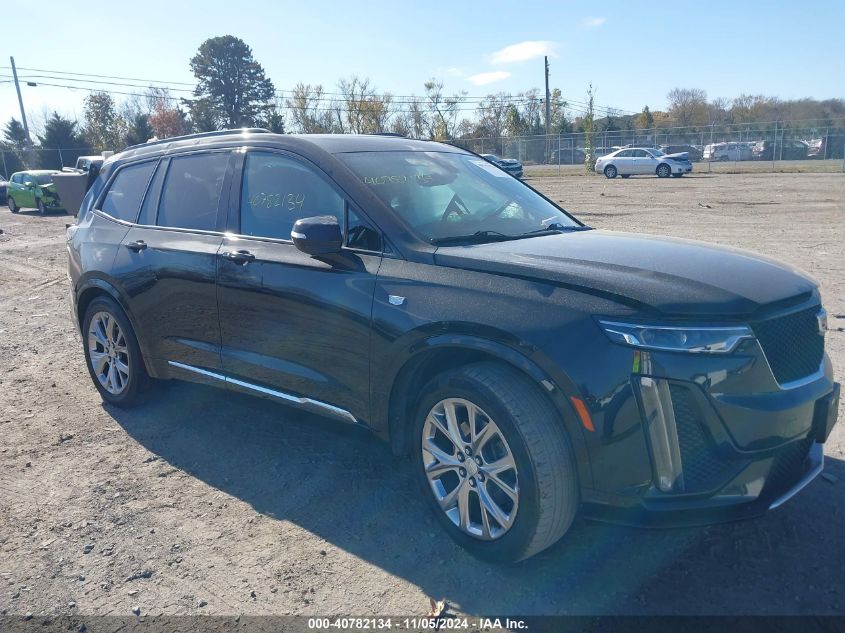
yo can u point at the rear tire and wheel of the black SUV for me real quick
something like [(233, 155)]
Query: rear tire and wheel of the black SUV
[(115, 389)]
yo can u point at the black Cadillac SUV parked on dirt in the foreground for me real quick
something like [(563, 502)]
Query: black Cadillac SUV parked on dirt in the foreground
[(528, 365)]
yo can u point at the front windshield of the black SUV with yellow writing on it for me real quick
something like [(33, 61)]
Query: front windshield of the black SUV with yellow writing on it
[(443, 195)]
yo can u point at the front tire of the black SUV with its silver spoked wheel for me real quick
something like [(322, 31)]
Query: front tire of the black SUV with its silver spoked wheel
[(528, 431)]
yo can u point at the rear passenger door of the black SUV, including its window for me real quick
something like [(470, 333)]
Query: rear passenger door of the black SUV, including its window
[(168, 259)]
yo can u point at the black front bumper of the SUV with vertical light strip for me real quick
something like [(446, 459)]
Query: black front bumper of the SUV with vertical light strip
[(684, 439)]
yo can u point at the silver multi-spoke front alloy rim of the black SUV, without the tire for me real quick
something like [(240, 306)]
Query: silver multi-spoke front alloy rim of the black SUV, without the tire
[(470, 468)]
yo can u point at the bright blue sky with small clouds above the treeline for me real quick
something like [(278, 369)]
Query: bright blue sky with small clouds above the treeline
[(632, 52)]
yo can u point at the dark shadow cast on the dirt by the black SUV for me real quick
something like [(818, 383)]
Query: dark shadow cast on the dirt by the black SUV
[(343, 485)]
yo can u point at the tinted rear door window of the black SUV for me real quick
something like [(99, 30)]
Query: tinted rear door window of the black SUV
[(191, 191)]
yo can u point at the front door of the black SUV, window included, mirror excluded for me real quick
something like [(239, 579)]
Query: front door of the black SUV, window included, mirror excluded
[(290, 324)]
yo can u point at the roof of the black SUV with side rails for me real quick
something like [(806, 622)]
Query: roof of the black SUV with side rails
[(331, 143)]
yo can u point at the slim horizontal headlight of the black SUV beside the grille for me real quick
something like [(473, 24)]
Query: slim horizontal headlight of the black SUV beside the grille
[(677, 338)]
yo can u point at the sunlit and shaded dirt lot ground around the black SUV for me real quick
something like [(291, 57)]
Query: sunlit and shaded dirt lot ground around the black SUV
[(211, 502)]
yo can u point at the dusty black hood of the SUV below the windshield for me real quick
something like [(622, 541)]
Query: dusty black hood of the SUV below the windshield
[(672, 276)]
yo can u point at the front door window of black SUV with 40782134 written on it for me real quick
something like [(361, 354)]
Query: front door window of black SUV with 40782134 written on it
[(277, 191)]
